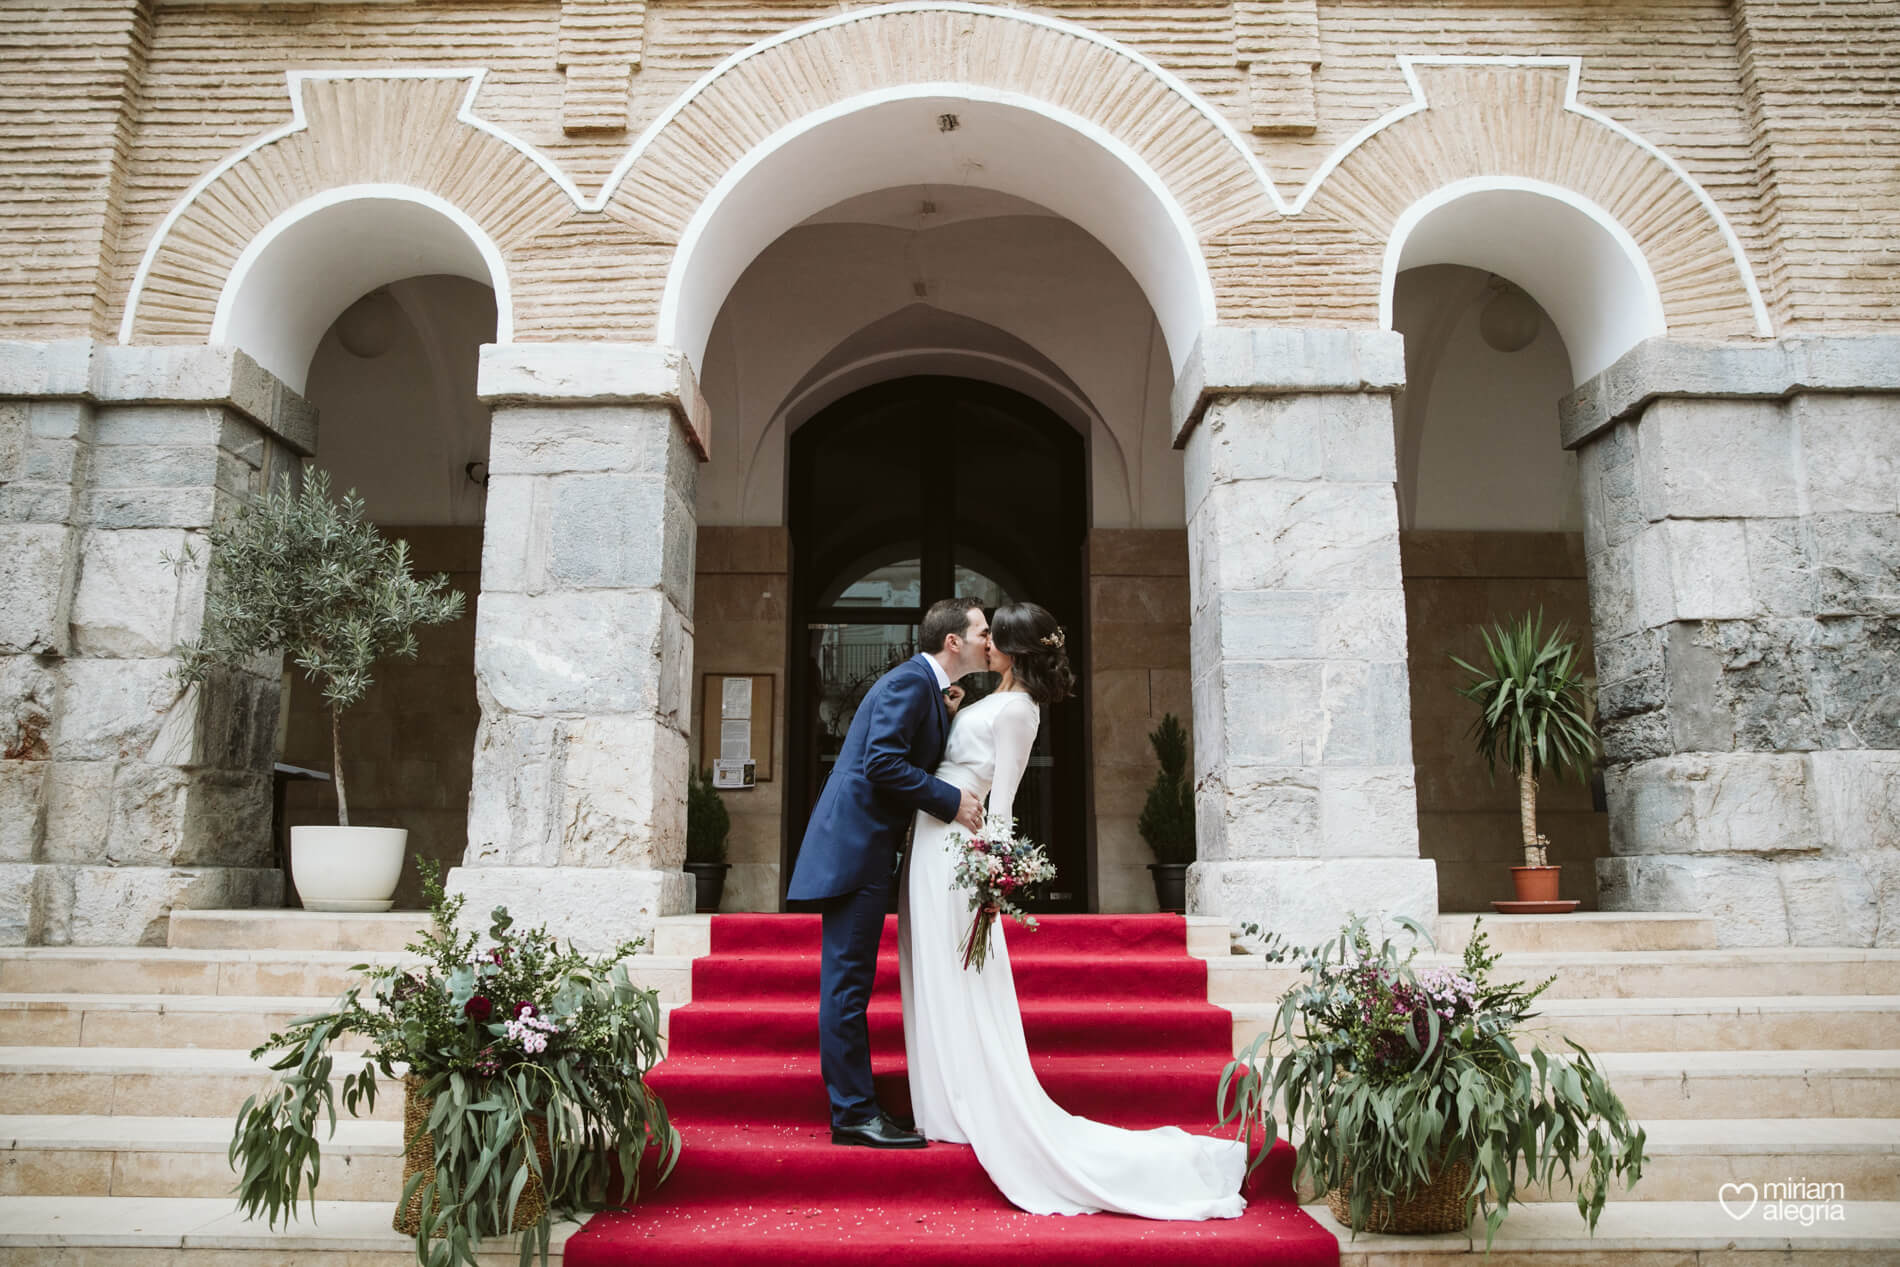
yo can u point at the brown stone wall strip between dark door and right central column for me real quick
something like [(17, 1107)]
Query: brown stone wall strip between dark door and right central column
[(1139, 671)]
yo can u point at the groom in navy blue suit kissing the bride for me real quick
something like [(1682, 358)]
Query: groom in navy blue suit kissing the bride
[(881, 782)]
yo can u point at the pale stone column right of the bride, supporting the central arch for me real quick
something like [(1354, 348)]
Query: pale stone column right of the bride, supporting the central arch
[(1306, 806)]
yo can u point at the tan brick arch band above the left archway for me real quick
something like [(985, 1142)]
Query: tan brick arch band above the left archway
[(349, 130)]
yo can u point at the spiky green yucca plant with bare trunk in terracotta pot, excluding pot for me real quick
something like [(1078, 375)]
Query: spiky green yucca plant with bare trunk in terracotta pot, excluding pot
[(1530, 713)]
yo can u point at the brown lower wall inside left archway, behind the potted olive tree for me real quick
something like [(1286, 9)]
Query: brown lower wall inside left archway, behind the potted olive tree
[(411, 742)]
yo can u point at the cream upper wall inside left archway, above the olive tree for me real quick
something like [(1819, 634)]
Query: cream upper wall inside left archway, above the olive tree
[(402, 426)]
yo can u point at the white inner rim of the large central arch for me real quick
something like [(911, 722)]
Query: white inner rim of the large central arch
[(666, 331)]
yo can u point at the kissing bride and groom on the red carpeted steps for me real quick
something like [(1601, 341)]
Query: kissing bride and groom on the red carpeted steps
[(907, 768)]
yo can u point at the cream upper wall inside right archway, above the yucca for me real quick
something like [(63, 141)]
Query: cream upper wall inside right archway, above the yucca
[(1479, 428)]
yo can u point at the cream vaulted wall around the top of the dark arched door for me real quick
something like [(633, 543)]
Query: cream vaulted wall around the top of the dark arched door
[(979, 255)]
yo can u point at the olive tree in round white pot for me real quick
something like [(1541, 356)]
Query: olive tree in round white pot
[(305, 577)]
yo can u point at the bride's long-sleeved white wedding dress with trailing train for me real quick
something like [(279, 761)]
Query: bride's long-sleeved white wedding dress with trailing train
[(970, 1065)]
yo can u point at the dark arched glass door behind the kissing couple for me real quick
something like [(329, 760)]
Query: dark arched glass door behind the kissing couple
[(917, 491)]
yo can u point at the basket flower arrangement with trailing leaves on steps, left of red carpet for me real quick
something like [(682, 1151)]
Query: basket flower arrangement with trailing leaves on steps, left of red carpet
[(525, 1091)]
